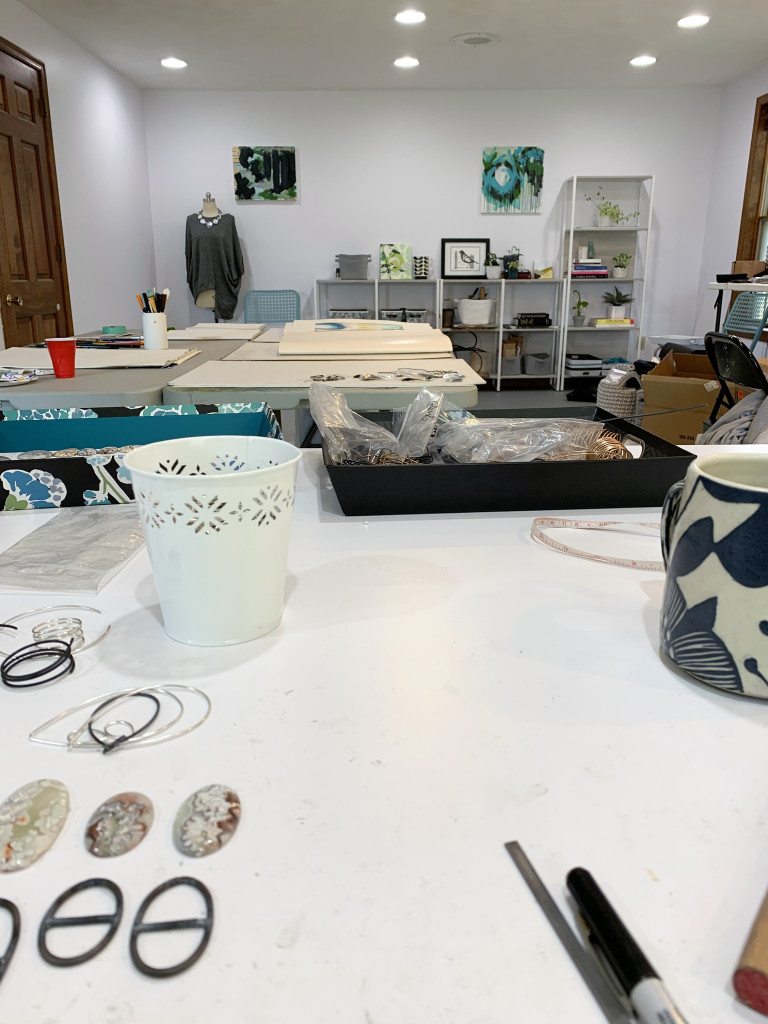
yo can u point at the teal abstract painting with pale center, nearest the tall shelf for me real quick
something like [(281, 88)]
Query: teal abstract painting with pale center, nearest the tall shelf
[(513, 180)]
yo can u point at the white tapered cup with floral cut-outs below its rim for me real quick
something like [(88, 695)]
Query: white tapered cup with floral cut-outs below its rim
[(217, 516)]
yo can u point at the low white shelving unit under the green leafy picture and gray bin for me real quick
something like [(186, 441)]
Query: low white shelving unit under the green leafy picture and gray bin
[(376, 294)]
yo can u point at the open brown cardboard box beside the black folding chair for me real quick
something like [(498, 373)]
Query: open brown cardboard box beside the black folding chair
[(680, 380)]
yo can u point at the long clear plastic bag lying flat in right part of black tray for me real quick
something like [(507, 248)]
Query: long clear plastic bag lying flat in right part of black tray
[(477, 442)]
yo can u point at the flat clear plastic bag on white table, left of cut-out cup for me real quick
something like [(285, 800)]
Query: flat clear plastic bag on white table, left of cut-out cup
[(78, 551)]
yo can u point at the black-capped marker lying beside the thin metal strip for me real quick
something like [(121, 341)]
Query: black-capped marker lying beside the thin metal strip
[(649, 997)]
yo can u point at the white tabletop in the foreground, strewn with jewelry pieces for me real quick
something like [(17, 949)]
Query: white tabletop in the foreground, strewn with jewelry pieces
[(440, 686)]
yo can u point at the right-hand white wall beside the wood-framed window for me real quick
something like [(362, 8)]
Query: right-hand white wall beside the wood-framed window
[(734, 138)]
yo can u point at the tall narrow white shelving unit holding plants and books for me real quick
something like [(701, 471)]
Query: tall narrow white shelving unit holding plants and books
[(632, 194)]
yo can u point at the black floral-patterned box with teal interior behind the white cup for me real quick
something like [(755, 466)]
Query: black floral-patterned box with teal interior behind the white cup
[(73, 456)]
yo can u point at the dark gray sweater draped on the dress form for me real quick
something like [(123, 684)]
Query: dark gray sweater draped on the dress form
[(215, 261)]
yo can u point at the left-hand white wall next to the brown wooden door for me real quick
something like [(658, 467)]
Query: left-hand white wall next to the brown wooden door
[(101, 154)]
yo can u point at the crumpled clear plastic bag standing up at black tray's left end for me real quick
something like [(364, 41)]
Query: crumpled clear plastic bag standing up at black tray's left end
[(349, 438)]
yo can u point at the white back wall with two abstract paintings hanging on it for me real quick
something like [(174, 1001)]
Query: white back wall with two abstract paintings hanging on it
[(405, 167)]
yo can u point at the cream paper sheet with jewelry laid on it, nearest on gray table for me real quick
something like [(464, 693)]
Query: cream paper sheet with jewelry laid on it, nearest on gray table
[(295, 374)]
